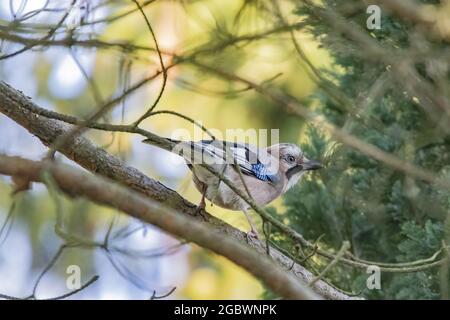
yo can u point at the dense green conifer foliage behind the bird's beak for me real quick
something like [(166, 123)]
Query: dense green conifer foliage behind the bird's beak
[(386, 215)]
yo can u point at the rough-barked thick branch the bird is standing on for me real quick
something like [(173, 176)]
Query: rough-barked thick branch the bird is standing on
[(16, 106)]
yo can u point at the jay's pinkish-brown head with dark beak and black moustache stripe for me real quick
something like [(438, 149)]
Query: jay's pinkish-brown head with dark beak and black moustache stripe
[(292, 163)]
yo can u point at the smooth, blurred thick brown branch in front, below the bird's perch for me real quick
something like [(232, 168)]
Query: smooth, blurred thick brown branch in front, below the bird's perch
[(103, 191)]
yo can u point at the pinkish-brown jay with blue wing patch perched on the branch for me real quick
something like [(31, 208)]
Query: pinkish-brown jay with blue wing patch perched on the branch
[(267, 173)]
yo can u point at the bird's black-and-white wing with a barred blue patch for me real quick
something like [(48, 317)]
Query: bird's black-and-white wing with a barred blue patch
[(251, 160)]
